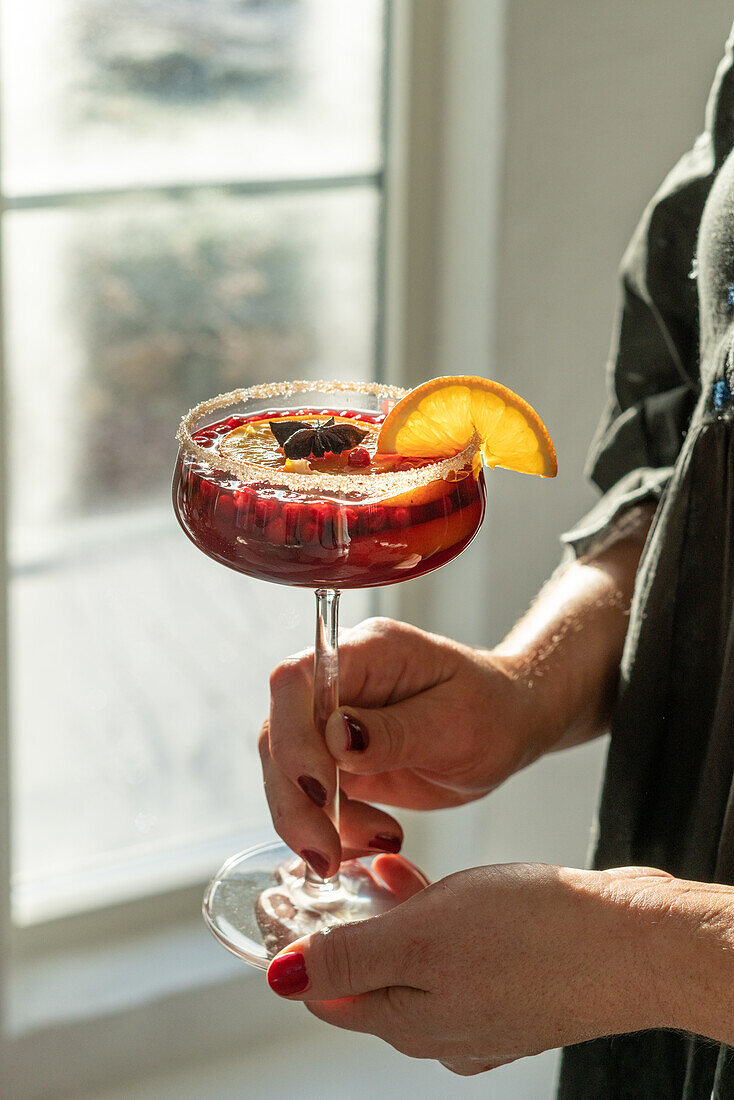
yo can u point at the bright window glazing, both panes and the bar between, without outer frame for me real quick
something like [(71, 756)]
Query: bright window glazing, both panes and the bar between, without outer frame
[(193, 202)]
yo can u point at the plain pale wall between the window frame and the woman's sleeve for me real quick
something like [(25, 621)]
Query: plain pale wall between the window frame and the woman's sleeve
[(601, 100)]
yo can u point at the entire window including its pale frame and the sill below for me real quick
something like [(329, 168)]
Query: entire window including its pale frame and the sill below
[(187, 208)]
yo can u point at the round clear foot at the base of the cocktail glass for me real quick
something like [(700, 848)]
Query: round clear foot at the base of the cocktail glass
[(259, 903)]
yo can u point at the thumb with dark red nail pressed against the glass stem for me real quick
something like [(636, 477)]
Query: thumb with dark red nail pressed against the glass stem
[(367, 741)]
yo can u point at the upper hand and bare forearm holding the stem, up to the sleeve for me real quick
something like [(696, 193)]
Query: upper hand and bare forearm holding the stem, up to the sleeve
[(431, 723)]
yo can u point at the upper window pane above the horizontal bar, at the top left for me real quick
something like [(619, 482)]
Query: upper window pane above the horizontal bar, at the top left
[(116, 93)]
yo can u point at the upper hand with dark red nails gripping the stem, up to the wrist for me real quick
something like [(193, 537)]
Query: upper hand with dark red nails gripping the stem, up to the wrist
[(426, 723)]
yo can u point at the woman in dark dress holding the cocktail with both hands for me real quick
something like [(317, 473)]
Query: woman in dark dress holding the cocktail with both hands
[(631, 969)]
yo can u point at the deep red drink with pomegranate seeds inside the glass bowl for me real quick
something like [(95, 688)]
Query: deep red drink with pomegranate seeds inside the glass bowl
[(316, 537)]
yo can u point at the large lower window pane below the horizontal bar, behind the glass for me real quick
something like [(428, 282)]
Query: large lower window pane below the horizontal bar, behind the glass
[(139, 668)]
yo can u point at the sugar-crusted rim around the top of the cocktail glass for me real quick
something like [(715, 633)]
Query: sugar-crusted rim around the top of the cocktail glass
[(399, 481)]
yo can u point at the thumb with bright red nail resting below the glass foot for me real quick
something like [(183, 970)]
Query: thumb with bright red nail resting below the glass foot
[(344, 961)]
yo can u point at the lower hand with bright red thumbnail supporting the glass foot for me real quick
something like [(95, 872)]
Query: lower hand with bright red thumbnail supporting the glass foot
[(494, 964)]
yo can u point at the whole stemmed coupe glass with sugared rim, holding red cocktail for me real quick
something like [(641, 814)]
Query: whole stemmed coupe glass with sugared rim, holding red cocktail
[(355, 529)]
